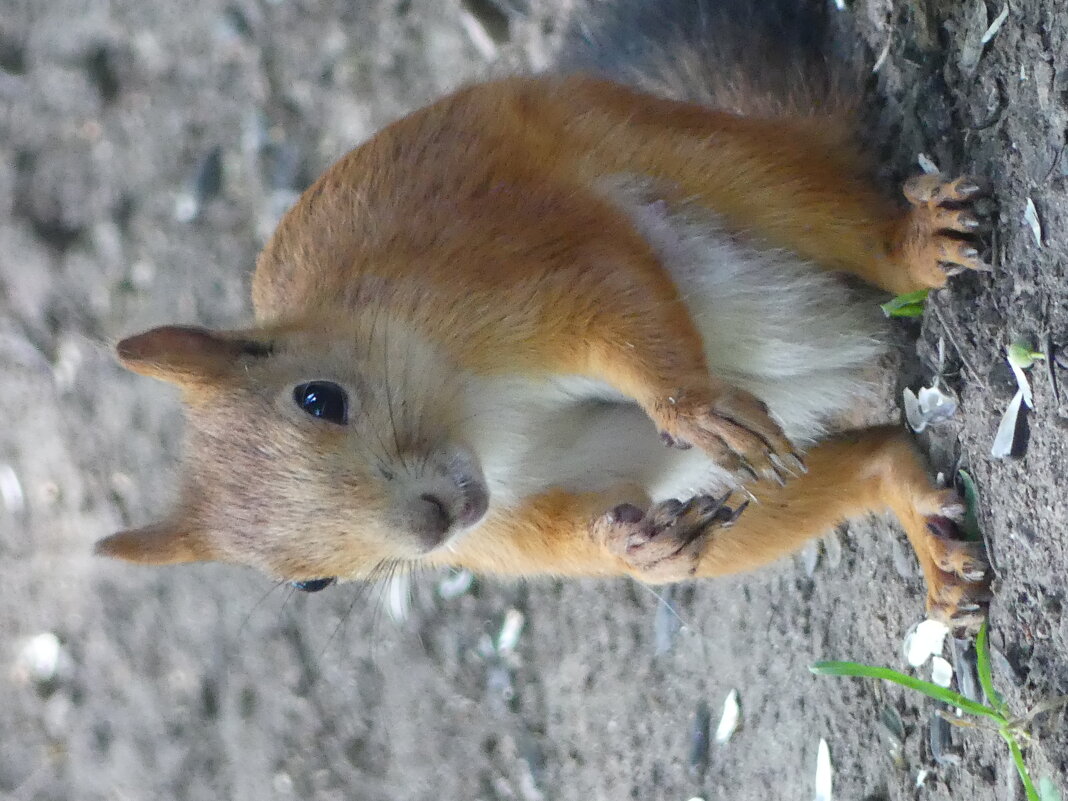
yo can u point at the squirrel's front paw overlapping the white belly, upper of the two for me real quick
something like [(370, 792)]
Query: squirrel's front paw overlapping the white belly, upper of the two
[(734, 428)]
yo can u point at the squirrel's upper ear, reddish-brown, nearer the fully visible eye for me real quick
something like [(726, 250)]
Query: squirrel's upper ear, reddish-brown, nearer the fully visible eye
[(186, 355)]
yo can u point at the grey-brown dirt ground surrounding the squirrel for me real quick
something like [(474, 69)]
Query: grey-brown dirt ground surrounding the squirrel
[(146, 150)]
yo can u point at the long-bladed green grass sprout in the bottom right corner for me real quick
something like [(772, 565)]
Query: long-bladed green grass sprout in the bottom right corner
[(996, 714)]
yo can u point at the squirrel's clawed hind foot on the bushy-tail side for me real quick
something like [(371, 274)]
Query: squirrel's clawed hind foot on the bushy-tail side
[(937, 239)]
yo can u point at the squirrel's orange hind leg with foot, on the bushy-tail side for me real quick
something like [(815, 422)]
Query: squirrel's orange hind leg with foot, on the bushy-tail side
[(781, 182)]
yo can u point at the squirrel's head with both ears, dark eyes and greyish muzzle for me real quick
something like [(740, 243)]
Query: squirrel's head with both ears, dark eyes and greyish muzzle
[(315, 450)]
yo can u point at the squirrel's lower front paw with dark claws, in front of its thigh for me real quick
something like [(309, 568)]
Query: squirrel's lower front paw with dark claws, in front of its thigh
[(665, 544)]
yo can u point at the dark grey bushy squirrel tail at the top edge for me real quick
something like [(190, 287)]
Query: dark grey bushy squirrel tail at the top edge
[(758, 58)]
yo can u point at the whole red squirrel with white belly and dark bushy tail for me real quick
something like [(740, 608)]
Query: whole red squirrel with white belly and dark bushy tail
[(585, 323)]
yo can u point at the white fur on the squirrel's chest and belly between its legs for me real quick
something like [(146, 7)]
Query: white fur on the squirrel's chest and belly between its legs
[(773, 324)]
